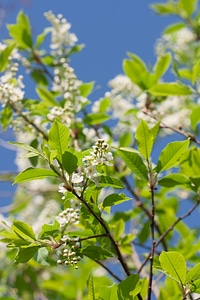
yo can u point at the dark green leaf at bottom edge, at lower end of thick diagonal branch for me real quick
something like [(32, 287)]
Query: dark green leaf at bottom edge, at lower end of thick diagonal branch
[(127, 286)]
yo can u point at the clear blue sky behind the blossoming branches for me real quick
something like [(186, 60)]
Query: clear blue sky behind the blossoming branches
[(108, 28)]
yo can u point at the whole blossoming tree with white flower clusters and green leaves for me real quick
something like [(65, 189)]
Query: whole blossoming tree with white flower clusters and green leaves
[(100, 212)]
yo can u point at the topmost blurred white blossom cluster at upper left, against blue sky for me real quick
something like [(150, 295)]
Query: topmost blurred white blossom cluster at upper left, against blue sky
[(61, 37)]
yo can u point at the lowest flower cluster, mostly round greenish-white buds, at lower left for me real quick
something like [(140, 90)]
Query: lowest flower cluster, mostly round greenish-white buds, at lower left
[(68, 251)]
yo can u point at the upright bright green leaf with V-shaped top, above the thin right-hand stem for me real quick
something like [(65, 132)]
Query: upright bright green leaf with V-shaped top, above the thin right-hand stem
[(145, 138)]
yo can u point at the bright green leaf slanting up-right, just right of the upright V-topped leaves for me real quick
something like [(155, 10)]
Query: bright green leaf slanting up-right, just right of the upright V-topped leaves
[(171, 154)]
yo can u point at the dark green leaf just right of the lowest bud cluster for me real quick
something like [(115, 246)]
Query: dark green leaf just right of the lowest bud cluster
[(96, 252)]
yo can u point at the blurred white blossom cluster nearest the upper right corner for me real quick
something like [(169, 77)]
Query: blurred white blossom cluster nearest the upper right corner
[(179, 42)]
